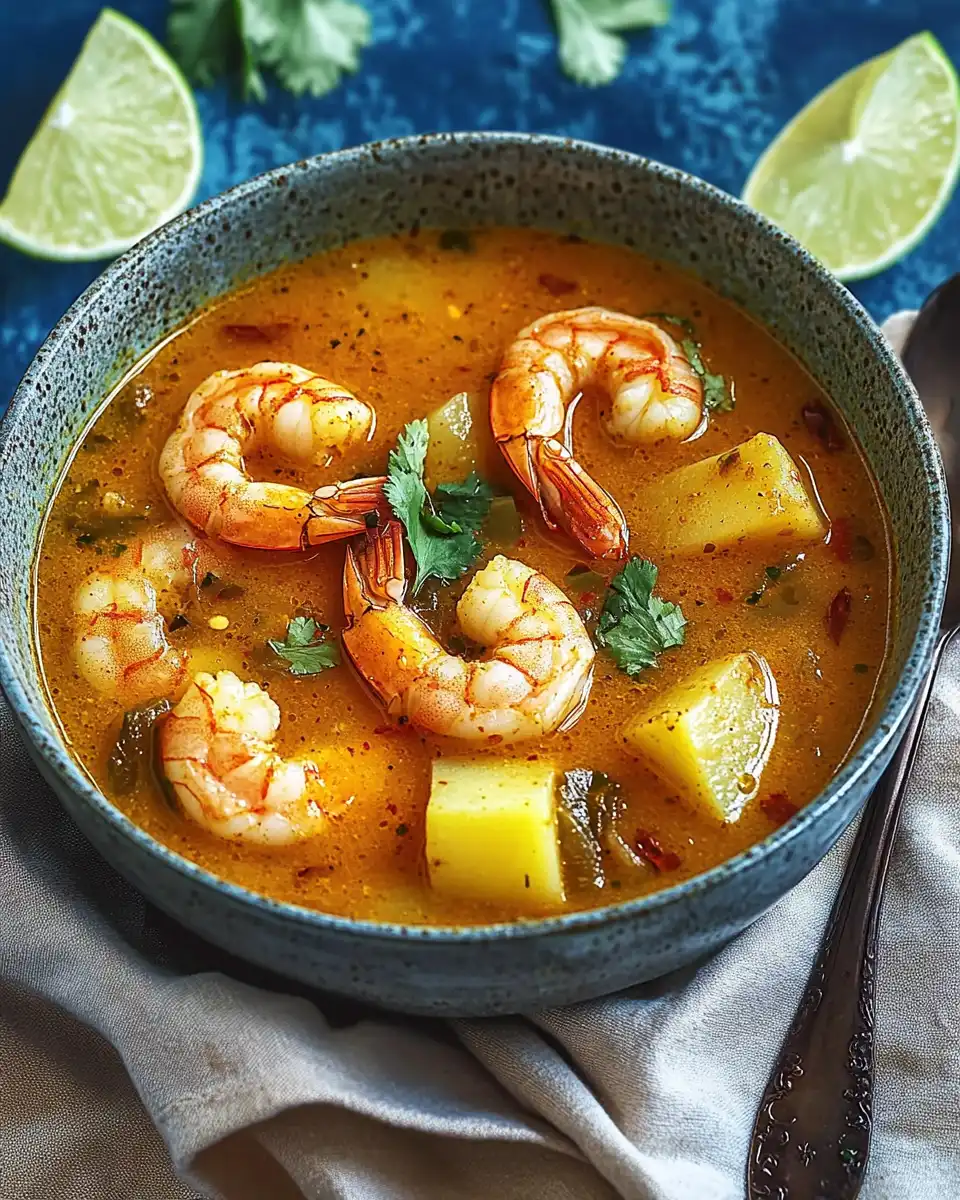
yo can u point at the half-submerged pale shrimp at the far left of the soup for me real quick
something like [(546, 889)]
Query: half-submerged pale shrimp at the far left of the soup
[(122, 647)]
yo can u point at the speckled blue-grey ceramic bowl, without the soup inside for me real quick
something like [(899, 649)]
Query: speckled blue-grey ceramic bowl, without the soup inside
[(461, 181)]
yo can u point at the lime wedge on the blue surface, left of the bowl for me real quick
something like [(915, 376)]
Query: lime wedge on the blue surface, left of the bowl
[(117, 154)]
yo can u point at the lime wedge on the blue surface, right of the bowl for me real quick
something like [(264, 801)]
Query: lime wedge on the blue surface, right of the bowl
[(862, 173)]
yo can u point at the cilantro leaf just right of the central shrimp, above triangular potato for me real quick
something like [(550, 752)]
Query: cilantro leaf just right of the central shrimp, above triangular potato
[(635, 626)]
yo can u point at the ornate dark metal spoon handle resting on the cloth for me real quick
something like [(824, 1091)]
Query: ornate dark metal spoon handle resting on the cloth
[(812, 1136)]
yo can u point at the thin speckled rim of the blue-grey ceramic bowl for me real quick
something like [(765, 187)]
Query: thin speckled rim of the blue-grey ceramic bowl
[(887, 722)]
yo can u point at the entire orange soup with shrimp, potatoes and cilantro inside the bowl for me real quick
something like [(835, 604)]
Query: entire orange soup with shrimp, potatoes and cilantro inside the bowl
[(463, 579)]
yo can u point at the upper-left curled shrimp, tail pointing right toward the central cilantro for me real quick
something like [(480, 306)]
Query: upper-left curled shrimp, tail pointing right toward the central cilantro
[(297, 413)]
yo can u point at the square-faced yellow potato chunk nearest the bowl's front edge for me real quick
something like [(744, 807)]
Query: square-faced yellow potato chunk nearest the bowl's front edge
[(493, 833)]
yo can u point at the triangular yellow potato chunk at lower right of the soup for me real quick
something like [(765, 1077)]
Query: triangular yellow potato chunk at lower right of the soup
[(712, 735)]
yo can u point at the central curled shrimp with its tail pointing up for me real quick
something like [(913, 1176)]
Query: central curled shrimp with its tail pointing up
[(539, 670)]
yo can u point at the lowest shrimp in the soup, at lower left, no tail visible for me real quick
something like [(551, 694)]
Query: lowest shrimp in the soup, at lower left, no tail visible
[(217, 751)]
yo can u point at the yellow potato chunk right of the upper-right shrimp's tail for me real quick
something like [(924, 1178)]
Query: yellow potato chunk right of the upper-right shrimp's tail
[(753, 493)]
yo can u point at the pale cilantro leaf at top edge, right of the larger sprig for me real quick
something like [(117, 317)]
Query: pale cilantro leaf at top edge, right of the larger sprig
[(591, 51)]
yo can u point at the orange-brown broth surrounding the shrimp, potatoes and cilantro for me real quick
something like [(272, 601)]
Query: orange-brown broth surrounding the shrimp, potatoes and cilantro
[(405, 325)]
